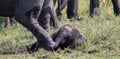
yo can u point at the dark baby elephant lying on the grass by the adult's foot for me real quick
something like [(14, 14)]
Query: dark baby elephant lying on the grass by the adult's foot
[(66, 36)]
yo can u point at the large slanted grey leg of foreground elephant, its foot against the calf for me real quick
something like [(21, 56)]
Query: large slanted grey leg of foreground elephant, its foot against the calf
[(28, 17)]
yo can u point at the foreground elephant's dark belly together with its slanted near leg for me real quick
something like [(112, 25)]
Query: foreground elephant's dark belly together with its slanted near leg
[(27, 12)]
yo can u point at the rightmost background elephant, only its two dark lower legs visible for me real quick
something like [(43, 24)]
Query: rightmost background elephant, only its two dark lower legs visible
[(94, 7)]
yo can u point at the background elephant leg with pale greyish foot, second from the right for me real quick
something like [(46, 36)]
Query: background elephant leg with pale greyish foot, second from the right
[(94, 8)]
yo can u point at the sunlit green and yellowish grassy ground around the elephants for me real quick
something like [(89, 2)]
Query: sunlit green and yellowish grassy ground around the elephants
[(102, 33)]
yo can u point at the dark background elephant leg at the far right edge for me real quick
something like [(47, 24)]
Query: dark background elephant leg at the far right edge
[(116, 7)]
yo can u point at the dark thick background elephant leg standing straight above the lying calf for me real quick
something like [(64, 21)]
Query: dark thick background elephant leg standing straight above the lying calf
[(72, 10)]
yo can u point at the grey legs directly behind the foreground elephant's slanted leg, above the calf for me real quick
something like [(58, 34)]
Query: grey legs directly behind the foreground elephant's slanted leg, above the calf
[(48, 15)]
